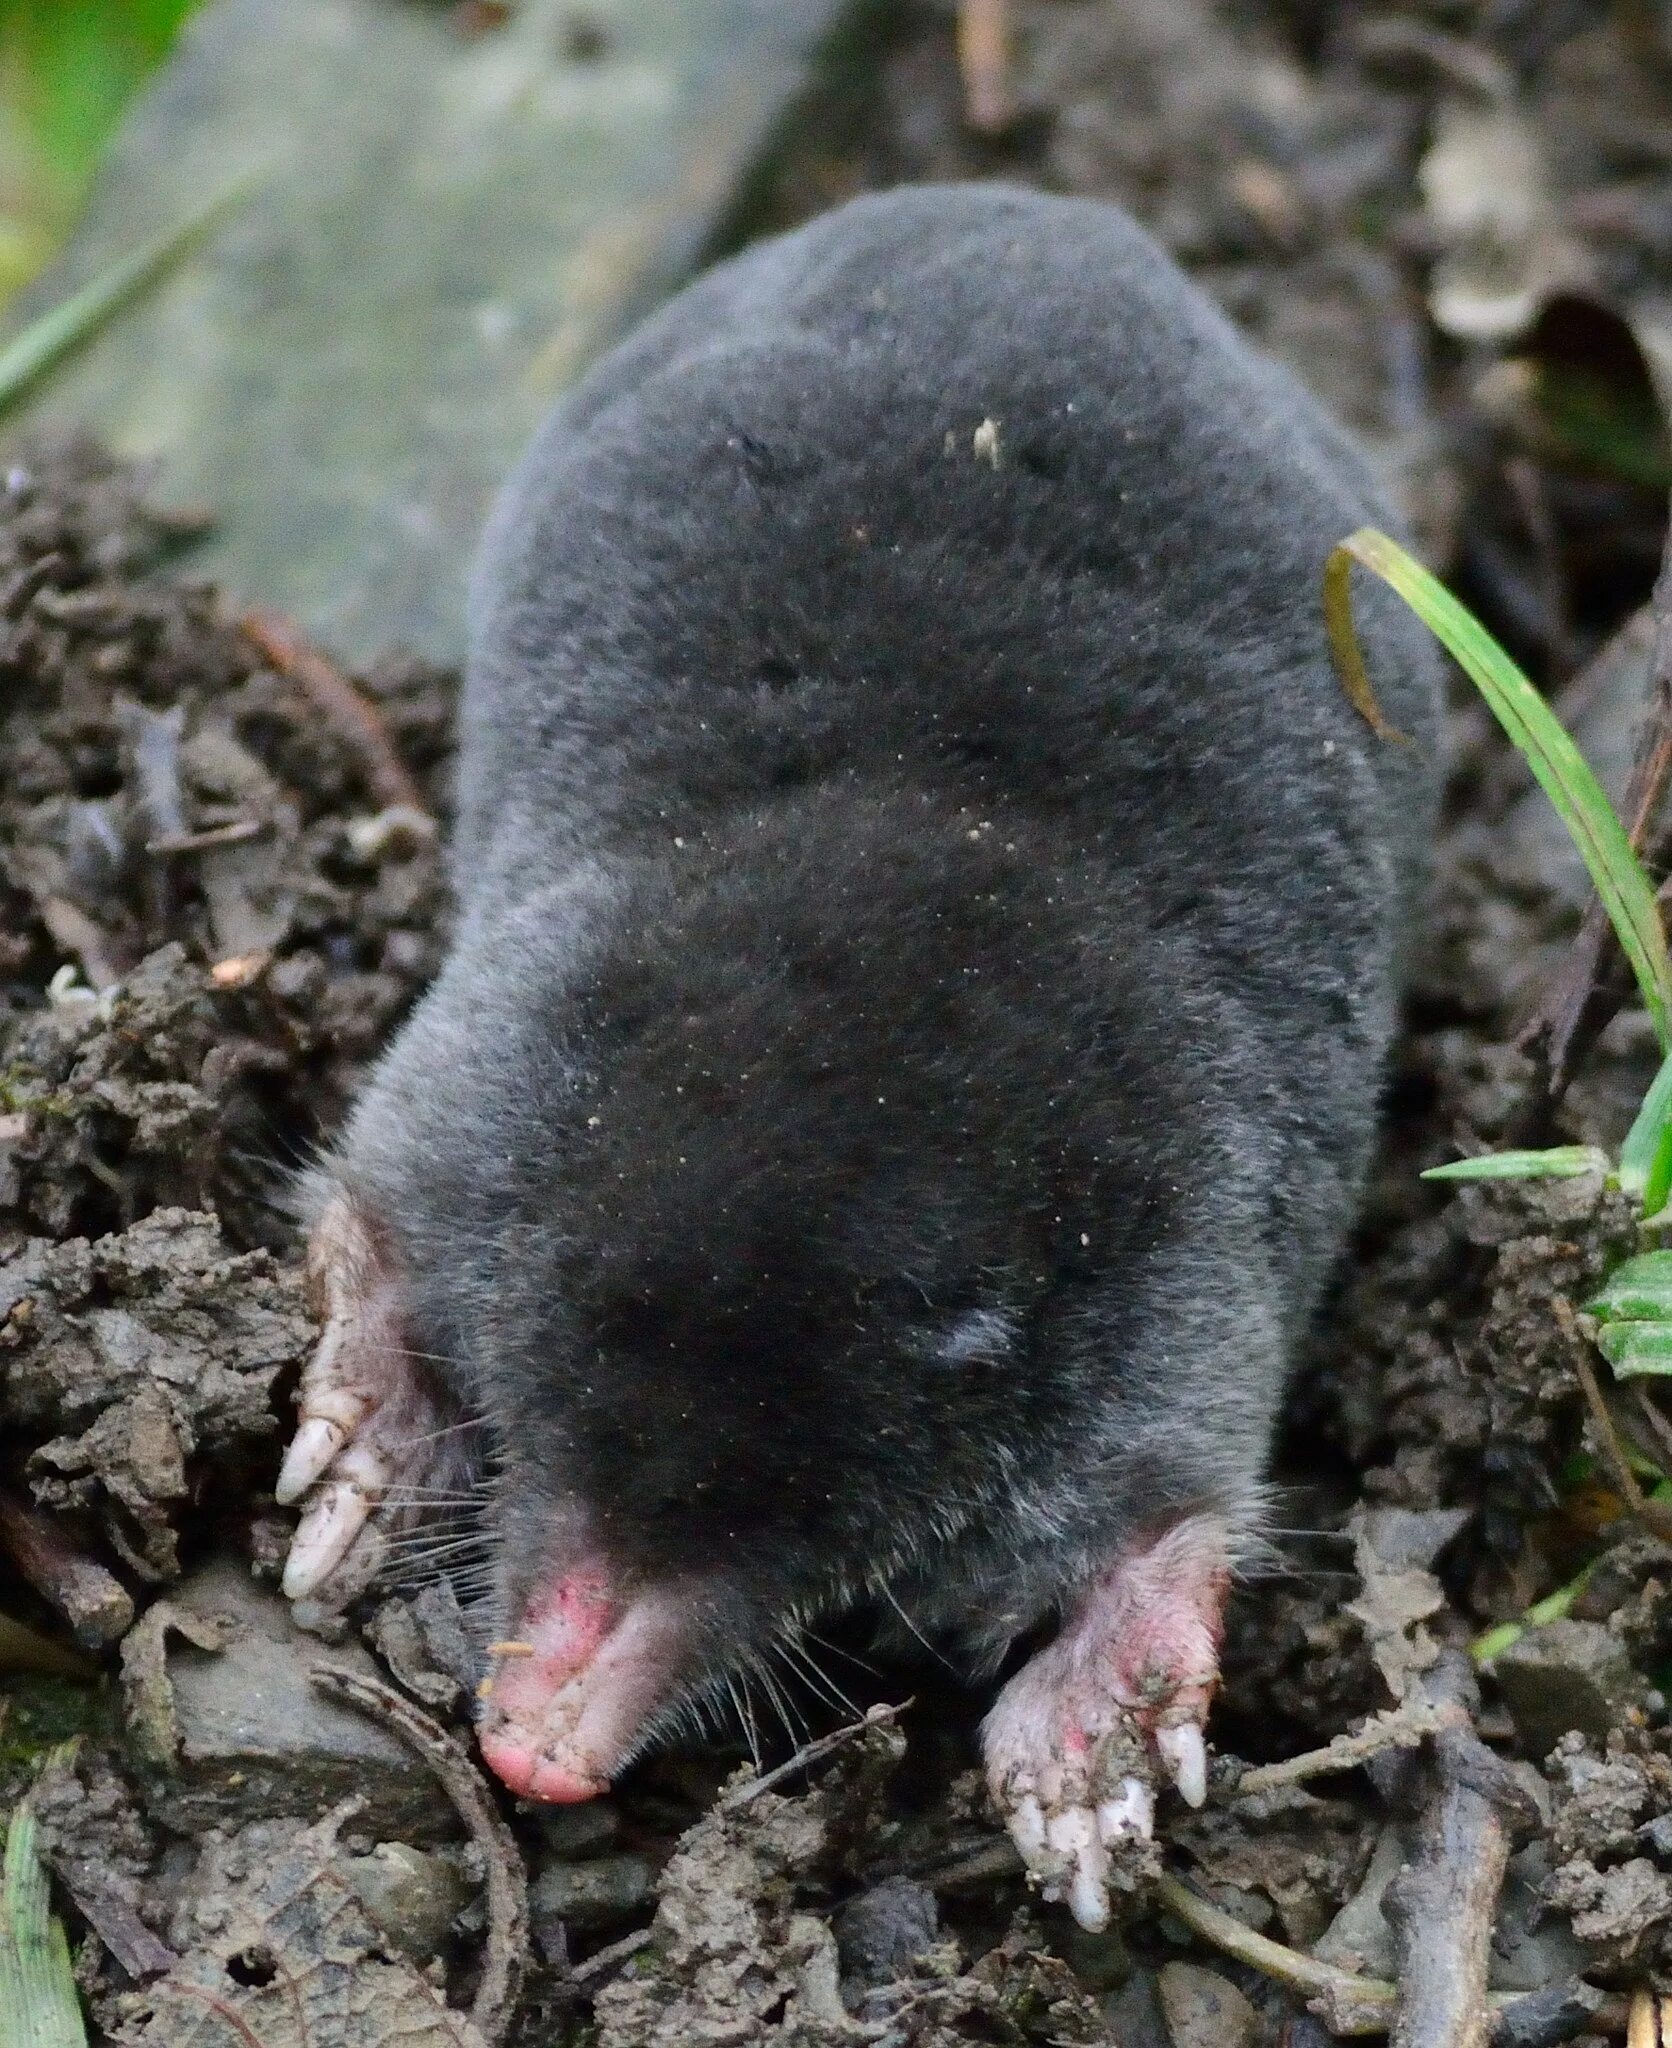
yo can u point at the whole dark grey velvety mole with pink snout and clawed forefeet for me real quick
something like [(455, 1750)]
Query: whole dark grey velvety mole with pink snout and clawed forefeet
[(929, 935)]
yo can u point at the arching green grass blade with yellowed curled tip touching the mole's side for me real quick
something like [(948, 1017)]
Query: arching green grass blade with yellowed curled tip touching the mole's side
[(1534, 728)]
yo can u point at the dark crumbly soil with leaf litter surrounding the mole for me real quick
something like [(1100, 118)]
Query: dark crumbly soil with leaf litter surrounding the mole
[(220, 890)]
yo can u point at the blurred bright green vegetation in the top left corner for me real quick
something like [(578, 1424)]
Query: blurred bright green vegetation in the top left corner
[(67, 73)]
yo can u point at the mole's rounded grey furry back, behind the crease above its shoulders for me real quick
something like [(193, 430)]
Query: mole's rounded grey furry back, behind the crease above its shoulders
[(968, 484)]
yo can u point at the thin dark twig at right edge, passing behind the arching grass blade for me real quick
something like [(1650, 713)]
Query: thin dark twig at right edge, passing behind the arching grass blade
[(1591, 986)]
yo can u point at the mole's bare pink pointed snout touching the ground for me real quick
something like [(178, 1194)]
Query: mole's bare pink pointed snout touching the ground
[(567, 1709)]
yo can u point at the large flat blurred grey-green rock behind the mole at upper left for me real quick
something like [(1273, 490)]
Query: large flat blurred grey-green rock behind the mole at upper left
[(442, 230)]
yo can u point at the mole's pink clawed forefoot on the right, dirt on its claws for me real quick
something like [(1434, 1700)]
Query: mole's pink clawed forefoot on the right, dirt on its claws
[(1077, 1736)]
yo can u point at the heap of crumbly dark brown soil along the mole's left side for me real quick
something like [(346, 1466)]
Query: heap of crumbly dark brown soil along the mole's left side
[(210, 925)]
